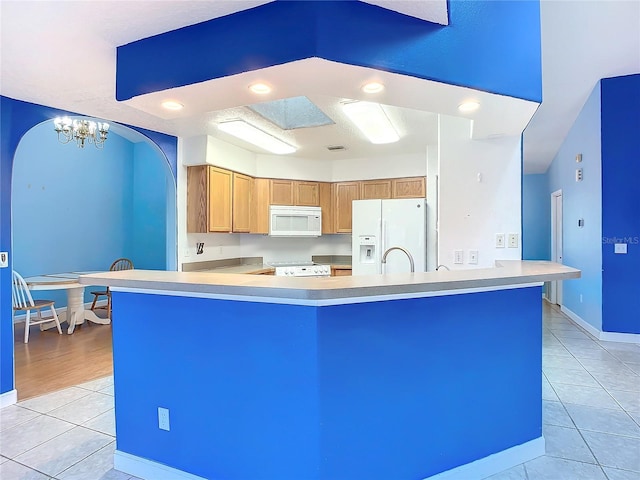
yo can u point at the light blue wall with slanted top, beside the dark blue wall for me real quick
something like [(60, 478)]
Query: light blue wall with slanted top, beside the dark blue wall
[(582, 247)]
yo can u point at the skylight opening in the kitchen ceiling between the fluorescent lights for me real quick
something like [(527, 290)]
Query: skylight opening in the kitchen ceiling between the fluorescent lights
[(292, 113)]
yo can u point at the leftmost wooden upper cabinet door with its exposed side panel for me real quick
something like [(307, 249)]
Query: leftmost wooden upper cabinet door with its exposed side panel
[(208, 199)]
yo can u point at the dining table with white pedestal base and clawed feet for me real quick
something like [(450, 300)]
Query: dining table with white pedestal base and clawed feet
[(76, 313)]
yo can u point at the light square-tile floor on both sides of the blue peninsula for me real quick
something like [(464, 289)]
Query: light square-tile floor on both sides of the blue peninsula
[(591, 415)]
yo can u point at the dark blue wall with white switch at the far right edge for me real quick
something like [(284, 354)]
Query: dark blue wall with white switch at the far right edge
[(621, 203)]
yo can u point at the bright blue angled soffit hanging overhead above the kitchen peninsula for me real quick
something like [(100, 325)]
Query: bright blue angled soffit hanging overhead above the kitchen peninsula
[(488, 45)]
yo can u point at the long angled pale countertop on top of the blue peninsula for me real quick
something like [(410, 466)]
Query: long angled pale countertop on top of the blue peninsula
[(506, 274)]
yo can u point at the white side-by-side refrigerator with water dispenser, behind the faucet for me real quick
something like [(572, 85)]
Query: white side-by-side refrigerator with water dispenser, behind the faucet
[(379, 225)]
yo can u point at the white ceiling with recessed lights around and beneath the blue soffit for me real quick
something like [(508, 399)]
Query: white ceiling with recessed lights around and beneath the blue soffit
[(62, 54)]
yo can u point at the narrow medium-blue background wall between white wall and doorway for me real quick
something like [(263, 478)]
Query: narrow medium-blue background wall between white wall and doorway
[(536, 218)]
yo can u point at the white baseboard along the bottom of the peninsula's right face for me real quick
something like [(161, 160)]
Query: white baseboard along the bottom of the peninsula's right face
[(495, 463)]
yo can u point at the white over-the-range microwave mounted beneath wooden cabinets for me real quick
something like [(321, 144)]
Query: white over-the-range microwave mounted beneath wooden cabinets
[(291, 221)]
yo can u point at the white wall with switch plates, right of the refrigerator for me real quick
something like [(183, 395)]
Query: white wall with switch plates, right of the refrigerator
[(471, 212)]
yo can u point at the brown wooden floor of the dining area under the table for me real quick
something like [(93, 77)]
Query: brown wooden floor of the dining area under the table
[(51, 361)]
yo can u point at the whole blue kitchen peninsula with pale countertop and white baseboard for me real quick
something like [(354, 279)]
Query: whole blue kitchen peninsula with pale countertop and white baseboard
[(402, 376)]
